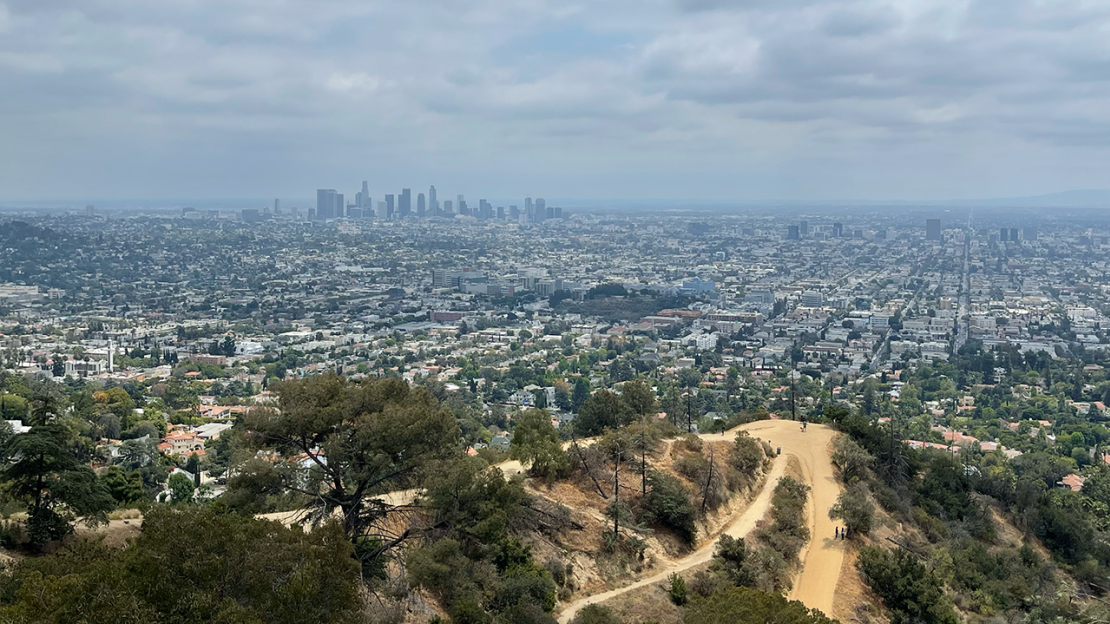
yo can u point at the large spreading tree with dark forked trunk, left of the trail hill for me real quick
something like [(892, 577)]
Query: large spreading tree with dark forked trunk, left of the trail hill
[(348, 444)]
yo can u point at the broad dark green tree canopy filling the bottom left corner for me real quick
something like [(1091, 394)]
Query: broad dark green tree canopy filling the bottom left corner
[(191, 565)]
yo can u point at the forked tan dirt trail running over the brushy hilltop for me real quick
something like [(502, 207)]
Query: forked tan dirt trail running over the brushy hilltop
[(823, 557)]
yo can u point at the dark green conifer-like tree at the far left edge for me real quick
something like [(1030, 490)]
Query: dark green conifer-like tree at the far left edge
[(57, 487)]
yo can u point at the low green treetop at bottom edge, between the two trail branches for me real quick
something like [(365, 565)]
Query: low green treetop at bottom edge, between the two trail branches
[(742, 606)]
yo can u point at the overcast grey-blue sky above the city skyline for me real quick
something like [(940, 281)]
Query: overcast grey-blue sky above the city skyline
[(685, 99)]
